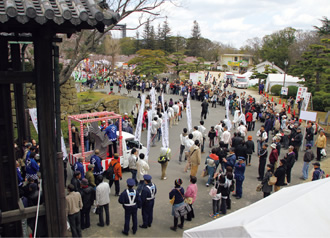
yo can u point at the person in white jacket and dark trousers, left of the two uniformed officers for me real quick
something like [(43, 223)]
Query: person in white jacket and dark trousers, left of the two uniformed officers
[(102, 200)]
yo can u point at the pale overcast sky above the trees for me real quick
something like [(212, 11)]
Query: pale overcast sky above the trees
[(235, 21)]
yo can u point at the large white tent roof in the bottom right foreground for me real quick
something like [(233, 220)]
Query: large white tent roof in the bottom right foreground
[(298, 211)]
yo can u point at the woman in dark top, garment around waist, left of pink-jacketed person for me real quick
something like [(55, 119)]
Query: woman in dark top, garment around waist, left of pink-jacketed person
[(179, 207)]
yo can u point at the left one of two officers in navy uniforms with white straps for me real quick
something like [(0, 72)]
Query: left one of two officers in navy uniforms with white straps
[(131, 201)]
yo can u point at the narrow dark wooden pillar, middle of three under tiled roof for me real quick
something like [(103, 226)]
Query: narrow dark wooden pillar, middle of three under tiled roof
[(19, 96)]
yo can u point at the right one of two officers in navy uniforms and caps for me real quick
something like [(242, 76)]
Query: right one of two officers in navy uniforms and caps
[(148, 200)]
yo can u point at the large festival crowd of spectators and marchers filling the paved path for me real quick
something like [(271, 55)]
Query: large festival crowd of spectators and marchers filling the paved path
[(232, 152)]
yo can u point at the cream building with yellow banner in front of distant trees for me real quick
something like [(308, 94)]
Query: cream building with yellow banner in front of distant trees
[(236, 63)]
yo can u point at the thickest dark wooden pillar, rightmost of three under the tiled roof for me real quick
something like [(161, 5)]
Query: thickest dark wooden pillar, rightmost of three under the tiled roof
[(46, 127)]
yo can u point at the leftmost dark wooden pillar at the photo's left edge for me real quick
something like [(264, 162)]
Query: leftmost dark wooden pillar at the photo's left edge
[(8, 187)]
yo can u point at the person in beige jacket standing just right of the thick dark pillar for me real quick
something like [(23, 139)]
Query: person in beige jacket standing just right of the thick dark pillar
[(73, 206)]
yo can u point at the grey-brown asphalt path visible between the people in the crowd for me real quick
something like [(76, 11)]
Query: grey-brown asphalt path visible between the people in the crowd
[(203, 205)]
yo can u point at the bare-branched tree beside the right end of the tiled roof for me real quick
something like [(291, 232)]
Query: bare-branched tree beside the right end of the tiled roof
[(86, 41)]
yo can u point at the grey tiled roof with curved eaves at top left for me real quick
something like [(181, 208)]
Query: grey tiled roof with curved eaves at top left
[(61, 14)]
